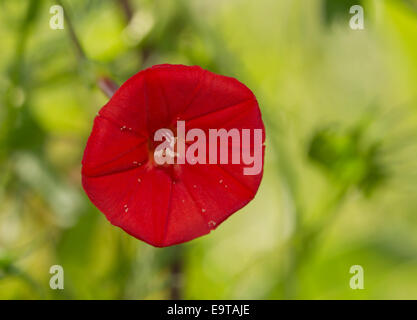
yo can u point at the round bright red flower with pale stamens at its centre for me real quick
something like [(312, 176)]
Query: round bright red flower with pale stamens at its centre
[(171, 203)]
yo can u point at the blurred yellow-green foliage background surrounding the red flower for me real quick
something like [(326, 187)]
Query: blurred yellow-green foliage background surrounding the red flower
[(337, 190)]
